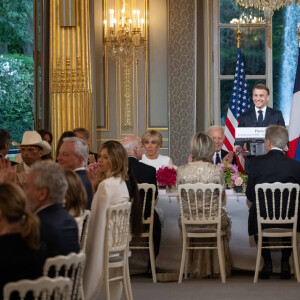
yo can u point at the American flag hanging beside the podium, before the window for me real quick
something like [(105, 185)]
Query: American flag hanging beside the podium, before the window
[(238, 104)]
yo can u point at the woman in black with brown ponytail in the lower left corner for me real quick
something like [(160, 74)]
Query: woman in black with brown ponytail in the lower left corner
[(20, 257)]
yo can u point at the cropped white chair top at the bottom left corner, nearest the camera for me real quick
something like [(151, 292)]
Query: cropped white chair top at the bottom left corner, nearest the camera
[(42, 288)]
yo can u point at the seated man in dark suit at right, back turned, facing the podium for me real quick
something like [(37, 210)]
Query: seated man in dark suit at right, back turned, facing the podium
[(271, 167)]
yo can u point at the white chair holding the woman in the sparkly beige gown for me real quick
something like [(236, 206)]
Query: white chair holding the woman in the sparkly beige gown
[(201, 220)]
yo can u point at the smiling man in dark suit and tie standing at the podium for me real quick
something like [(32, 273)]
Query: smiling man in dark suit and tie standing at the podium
[(260, 116)]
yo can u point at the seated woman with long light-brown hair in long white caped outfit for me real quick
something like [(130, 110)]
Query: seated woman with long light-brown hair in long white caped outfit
[(112, 189)]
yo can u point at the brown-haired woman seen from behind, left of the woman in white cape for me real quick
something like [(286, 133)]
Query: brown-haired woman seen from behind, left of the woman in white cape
[(75, 199)]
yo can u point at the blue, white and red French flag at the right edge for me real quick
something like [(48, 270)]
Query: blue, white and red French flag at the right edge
[(294, 128)]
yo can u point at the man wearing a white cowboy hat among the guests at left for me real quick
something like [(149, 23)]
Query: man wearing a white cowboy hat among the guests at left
[(32, 149)]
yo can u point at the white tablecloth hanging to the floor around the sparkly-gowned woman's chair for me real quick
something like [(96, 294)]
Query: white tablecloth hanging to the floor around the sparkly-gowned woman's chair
[(243, 256)]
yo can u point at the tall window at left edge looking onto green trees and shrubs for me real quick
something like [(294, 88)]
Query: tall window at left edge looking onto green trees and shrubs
[(16, 67)]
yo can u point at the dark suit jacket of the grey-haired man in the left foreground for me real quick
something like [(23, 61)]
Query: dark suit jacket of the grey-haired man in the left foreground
[(58, 230)]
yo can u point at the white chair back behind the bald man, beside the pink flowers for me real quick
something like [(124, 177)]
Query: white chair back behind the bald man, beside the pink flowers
[(147, 191)]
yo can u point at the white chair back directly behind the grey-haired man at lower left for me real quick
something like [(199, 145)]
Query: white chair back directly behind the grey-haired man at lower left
[(71, 266)]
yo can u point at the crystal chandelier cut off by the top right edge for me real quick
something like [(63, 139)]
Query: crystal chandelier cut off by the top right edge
[(267, 6)]
